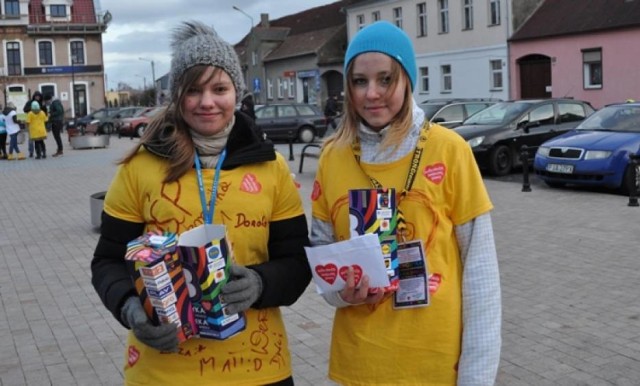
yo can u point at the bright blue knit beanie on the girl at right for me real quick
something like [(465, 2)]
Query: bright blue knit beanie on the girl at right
[(388, 39)]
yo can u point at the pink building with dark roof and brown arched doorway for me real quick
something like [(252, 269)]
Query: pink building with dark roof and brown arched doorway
[(585, 50)]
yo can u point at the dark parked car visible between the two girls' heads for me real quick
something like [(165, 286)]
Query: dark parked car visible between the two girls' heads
[(301, 122)]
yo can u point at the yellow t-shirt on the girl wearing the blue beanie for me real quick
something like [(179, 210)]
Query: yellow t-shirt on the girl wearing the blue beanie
[(418, 346)]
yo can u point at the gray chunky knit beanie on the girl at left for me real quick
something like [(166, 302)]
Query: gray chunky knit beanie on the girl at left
[(195, 43)]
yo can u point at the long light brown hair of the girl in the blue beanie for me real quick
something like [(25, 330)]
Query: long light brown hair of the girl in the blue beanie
[(401, 124)]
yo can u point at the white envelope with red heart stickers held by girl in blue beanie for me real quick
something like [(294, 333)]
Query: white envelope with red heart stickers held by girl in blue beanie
[(330, 263)]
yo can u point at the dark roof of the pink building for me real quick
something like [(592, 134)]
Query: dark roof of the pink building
[(566, 17)]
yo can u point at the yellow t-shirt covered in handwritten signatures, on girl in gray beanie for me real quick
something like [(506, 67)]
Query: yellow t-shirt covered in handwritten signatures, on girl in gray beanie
[(248, 199)]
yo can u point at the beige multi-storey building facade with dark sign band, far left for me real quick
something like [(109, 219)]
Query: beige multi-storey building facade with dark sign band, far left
[(54, 47)]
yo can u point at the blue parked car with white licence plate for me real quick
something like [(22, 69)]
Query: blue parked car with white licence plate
[(596, 152)]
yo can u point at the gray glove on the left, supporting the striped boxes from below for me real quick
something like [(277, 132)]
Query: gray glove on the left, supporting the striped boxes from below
[(163, 337)]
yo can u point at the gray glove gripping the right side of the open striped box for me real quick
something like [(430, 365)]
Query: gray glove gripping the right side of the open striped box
[(242, 290)]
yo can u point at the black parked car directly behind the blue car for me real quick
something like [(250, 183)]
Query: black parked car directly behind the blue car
[(497, 133)]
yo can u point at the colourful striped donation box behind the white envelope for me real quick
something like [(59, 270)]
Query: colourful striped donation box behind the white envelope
[(375, 211)]
